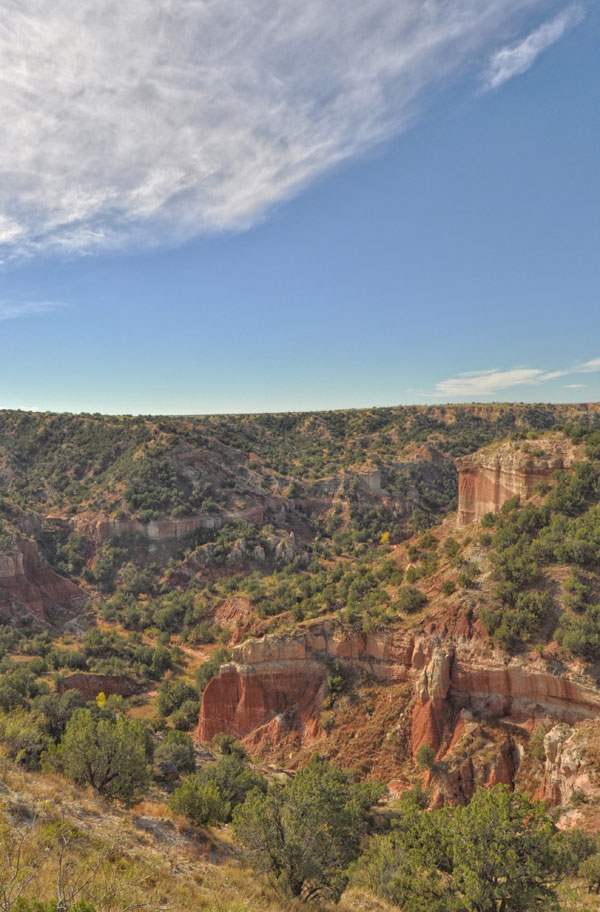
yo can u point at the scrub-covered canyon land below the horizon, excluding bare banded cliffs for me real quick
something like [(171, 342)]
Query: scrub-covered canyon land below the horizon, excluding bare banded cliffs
[(136, 552)]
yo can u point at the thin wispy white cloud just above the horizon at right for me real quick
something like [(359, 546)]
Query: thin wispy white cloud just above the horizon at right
[(488, 382)]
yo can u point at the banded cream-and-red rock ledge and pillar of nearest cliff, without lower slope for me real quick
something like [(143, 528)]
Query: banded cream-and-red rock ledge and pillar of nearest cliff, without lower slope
[(277, 685)]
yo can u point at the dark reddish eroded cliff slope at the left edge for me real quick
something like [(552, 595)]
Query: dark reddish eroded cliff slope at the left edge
[(26, 583)]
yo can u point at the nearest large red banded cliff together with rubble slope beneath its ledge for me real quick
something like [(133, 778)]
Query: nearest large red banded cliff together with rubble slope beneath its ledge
[(451, 692)]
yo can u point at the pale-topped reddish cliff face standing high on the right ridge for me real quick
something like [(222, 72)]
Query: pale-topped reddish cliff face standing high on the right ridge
[(490, 477)]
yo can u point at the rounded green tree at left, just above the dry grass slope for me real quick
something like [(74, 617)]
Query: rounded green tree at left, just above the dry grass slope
[(108, 754)]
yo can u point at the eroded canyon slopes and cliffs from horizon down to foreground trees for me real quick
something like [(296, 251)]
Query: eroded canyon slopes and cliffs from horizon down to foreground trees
[(371, 585)]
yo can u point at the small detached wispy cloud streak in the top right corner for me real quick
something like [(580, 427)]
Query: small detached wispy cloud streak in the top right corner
[(515, 59)]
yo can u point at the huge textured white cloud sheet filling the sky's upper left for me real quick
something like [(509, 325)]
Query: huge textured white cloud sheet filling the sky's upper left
[(150, 121)]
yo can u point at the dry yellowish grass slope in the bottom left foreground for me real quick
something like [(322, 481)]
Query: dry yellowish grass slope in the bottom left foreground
[(145, 857)]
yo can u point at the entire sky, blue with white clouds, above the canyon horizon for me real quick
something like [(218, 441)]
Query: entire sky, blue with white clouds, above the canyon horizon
[(317, 209)]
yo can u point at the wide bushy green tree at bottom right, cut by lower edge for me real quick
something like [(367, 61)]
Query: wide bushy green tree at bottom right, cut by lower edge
[(501, 853)]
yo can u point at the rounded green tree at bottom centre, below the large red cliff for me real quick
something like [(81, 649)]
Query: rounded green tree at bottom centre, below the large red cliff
[(304, 834)]
